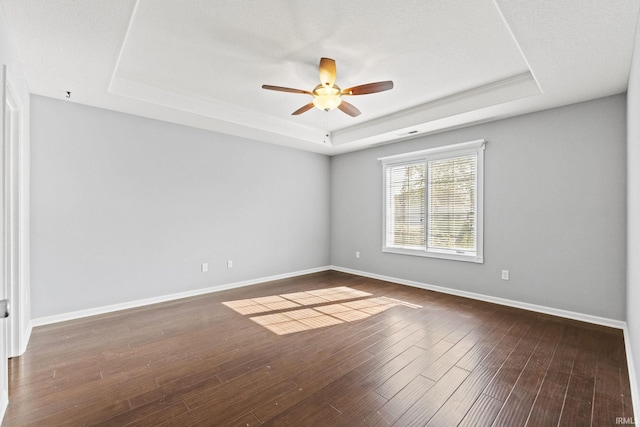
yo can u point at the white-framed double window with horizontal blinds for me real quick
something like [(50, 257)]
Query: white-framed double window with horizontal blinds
[(433, 202)]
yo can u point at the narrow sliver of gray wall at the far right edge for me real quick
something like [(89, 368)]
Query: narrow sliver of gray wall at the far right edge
[(633, 203)]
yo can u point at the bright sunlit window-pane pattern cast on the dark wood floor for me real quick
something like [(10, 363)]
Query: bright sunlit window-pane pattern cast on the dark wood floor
[(325, 312)]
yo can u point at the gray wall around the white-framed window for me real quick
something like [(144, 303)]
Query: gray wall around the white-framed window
[(555, 210)]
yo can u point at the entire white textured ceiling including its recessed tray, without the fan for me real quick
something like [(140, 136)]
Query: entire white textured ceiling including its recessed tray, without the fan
[(202, 63)]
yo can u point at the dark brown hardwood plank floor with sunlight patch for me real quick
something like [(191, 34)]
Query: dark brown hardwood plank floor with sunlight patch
[(369, 352)]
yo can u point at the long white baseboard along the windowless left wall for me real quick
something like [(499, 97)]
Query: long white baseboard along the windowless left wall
[(40, 321)]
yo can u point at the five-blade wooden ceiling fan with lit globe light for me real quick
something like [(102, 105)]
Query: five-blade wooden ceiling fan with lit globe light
[(328, 96)]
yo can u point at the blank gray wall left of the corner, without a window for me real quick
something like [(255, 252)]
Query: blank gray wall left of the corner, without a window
[(126, 208)]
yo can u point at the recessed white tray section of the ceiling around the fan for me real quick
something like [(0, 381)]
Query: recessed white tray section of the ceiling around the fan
[(211, 58)]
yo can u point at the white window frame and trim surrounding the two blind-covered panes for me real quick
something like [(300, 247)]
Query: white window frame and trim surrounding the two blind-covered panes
[(448, 151)]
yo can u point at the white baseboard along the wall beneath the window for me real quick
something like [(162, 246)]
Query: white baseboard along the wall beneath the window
[(619, 324)]
